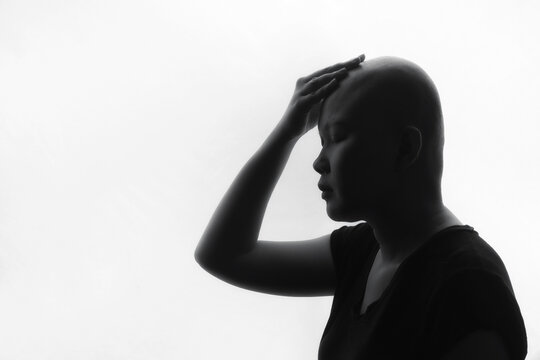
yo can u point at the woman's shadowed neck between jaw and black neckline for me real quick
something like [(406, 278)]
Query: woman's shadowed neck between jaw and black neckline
[(402, 229)]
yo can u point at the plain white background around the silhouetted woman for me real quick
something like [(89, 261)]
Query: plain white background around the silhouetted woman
[(122, 123)]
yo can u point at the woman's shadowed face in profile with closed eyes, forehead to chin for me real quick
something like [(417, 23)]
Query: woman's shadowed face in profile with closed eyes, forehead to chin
[(356, 162)]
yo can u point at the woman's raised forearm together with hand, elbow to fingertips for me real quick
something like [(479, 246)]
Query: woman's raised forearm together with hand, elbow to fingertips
[(234, 227)]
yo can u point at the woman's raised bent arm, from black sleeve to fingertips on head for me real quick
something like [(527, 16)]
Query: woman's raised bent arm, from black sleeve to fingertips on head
[(229, 247)]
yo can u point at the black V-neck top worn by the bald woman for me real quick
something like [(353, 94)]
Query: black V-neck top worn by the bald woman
[(452, 285)]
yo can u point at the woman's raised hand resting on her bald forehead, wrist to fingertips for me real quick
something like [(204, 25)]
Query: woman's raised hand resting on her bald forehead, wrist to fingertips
[(302, 113)]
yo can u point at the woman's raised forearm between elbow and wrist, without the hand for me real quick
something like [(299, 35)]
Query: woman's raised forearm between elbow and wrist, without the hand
[(235, 225)]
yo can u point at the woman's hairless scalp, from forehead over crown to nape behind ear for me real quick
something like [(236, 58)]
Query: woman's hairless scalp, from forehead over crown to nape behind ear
[(391, 96)]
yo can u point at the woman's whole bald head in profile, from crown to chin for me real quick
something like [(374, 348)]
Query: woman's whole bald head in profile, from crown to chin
[(382, 140)]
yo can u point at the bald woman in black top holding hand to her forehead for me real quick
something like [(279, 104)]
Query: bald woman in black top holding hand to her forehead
[(410, 281)]
